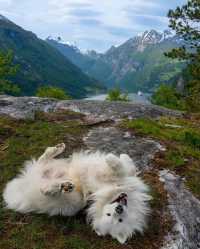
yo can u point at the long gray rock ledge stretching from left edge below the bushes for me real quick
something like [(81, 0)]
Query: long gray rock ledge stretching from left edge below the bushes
[(25, 107)]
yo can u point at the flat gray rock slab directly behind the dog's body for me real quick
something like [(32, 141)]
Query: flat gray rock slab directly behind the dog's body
[(114, 140)]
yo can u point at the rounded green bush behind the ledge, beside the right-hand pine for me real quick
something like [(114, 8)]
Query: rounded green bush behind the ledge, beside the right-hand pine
[(168, 97)]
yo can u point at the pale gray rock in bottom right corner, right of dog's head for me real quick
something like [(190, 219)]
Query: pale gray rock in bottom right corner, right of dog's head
[(185, 209)]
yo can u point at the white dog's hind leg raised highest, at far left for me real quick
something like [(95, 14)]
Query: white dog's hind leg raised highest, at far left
[(51, 152)]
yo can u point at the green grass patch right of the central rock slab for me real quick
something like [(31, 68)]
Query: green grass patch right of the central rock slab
[(182, 143)]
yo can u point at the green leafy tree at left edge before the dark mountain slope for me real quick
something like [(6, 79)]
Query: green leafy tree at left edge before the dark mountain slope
[(7, 69)]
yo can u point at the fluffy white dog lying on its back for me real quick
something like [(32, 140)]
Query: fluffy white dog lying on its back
[(119, 199)]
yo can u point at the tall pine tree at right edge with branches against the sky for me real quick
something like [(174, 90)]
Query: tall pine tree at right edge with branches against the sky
[(185, 21)]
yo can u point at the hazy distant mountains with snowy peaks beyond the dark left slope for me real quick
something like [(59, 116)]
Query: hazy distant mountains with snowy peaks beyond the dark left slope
[(138, 64)]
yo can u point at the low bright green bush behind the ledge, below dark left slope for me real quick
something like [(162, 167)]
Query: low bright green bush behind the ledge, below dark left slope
[(52, 92)]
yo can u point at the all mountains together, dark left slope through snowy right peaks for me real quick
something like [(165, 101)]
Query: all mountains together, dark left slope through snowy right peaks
[(136, 65)]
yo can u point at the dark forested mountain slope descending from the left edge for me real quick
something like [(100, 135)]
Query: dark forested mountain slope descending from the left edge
[(41, 64)]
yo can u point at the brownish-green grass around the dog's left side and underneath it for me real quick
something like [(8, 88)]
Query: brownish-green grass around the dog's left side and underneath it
[(21, 140)]
